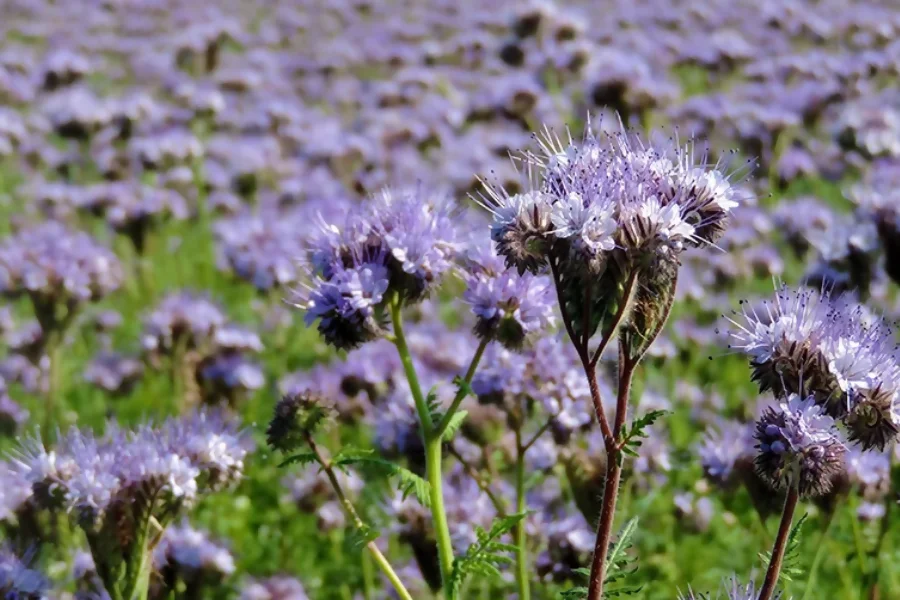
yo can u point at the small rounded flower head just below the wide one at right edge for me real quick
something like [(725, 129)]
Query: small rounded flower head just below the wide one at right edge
[(798, 446)]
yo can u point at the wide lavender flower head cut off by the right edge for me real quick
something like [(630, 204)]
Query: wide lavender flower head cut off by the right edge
[(832, 349)]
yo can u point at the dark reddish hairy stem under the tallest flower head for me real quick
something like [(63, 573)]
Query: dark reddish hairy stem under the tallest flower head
[(613, 477)]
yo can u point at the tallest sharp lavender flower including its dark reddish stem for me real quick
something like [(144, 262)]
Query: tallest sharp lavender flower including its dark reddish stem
[(608, 217)]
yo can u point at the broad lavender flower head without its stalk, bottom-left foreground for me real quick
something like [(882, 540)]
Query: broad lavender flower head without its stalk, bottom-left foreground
[(158, 469)]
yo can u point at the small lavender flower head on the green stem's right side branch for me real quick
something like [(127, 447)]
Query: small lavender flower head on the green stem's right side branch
[(509, 308)]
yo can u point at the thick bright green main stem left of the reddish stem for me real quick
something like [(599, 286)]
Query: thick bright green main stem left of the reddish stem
[(432, 453)]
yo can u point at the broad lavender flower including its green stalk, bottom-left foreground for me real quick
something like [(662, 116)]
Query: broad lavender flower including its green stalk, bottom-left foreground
[(124, 488)]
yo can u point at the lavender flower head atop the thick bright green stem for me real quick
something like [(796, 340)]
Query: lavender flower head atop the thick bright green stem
[(400, 244)]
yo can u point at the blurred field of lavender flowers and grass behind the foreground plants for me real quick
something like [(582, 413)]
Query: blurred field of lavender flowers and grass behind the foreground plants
[(202, 143)]
